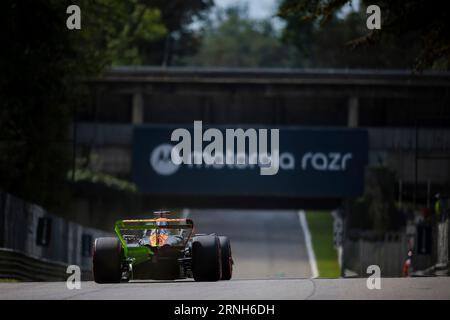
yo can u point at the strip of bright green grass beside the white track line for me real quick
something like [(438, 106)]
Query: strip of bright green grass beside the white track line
[(320, 225)]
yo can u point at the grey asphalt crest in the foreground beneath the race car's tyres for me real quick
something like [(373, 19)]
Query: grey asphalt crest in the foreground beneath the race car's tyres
[(284, 289)]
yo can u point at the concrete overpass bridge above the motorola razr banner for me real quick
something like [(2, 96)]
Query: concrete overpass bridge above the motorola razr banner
[(268, 96)]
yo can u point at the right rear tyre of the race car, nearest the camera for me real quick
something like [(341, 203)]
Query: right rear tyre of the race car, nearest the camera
[(206, 258)]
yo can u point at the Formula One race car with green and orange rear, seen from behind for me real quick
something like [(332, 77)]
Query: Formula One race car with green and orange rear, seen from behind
[(161, 248)]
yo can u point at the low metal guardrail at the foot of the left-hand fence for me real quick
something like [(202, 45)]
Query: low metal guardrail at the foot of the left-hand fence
[(20, 266)]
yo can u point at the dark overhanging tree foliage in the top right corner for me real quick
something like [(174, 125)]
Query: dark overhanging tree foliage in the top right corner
[(421, 26)]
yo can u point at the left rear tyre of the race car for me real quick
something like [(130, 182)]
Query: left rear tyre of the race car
[(106, 261)]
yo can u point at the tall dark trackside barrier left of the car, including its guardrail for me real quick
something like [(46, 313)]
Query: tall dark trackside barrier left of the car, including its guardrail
[(38, 246)]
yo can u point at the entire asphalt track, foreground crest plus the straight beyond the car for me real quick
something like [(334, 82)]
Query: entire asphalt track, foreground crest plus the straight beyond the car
[(270, 263)]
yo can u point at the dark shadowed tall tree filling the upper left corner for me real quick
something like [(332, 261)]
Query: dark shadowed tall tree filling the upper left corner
[(41, 64)]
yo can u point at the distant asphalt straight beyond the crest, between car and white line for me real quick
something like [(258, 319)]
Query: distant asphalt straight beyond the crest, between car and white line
[(265, 244)]
